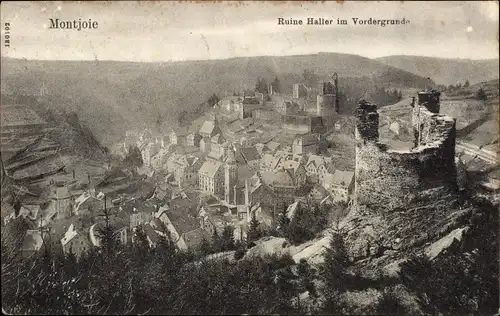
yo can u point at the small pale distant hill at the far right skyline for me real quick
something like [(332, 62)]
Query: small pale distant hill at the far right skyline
[(446, 71)]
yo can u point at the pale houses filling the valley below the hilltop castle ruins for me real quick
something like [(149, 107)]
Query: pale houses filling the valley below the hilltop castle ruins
[(213, 174)]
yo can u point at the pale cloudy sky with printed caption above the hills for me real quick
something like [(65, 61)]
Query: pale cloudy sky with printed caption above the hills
[(172, 31)]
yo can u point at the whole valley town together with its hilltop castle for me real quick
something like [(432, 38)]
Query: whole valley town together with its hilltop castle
[(257, 156)]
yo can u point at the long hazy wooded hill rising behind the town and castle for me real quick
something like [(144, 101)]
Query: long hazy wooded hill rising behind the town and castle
[(111, 97)]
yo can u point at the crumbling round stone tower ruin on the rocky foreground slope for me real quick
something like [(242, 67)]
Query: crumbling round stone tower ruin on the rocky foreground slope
[(387, 179)]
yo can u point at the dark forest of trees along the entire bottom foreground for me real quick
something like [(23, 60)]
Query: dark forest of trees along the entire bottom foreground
[(139, 279)]
